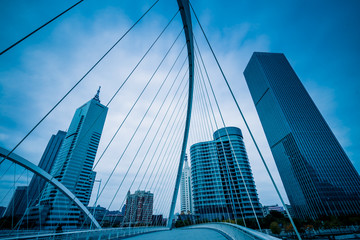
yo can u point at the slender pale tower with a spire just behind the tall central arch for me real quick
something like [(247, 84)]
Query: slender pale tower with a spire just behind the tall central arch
[(186, 189)]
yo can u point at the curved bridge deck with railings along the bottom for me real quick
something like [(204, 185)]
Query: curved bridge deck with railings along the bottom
[(220, 231)]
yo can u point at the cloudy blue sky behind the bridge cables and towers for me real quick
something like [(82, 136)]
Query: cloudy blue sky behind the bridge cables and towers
[(319, 38)]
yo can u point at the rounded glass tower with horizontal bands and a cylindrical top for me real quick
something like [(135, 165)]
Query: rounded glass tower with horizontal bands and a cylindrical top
[(219, 191)]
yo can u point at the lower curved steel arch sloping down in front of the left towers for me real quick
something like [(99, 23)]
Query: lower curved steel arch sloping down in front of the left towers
[(40, 172)]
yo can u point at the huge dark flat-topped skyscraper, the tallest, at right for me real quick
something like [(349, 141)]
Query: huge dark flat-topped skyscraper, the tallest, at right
[(318, 177)]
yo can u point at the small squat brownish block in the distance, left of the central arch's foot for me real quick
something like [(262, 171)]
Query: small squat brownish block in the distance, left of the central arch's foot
[(139, 208)]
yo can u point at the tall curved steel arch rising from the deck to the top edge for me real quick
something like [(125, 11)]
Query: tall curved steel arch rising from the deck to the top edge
[(186, 19)]
